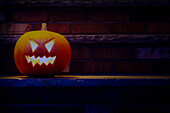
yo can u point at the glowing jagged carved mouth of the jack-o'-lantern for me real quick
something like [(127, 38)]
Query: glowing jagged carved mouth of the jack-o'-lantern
[(40, 60)]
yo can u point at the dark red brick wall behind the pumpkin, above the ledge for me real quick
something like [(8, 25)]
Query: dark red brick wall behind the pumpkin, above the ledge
[(107, 37)]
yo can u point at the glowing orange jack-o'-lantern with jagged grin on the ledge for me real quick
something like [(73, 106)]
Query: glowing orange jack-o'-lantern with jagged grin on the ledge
[(42, 53)]
